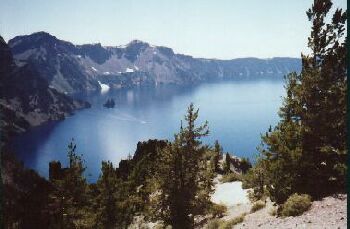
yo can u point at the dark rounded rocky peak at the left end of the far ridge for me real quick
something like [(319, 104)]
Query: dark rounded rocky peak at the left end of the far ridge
[(55, 60)]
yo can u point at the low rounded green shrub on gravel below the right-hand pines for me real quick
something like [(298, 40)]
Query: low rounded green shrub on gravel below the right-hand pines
[(296, 204)]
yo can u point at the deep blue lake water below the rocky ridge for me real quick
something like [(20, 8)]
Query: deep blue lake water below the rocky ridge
[(237, 112)]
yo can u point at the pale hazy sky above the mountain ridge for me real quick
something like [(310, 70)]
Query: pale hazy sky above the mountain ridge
[(220, 29)]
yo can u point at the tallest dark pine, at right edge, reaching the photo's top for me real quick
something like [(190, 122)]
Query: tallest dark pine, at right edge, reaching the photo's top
[(323, 100)]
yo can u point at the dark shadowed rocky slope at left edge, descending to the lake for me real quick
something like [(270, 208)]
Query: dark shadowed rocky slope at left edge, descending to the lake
[(26, 98)]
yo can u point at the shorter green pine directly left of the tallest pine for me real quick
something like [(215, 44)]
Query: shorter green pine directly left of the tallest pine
[(282, 147)]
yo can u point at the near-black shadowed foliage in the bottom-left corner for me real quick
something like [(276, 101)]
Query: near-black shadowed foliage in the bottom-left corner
[(25, 195)]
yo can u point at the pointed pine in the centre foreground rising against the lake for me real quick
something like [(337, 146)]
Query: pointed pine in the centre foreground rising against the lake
[(183, 175)]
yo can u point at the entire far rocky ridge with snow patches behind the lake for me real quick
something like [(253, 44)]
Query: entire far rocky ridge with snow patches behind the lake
[(73, 68)]
